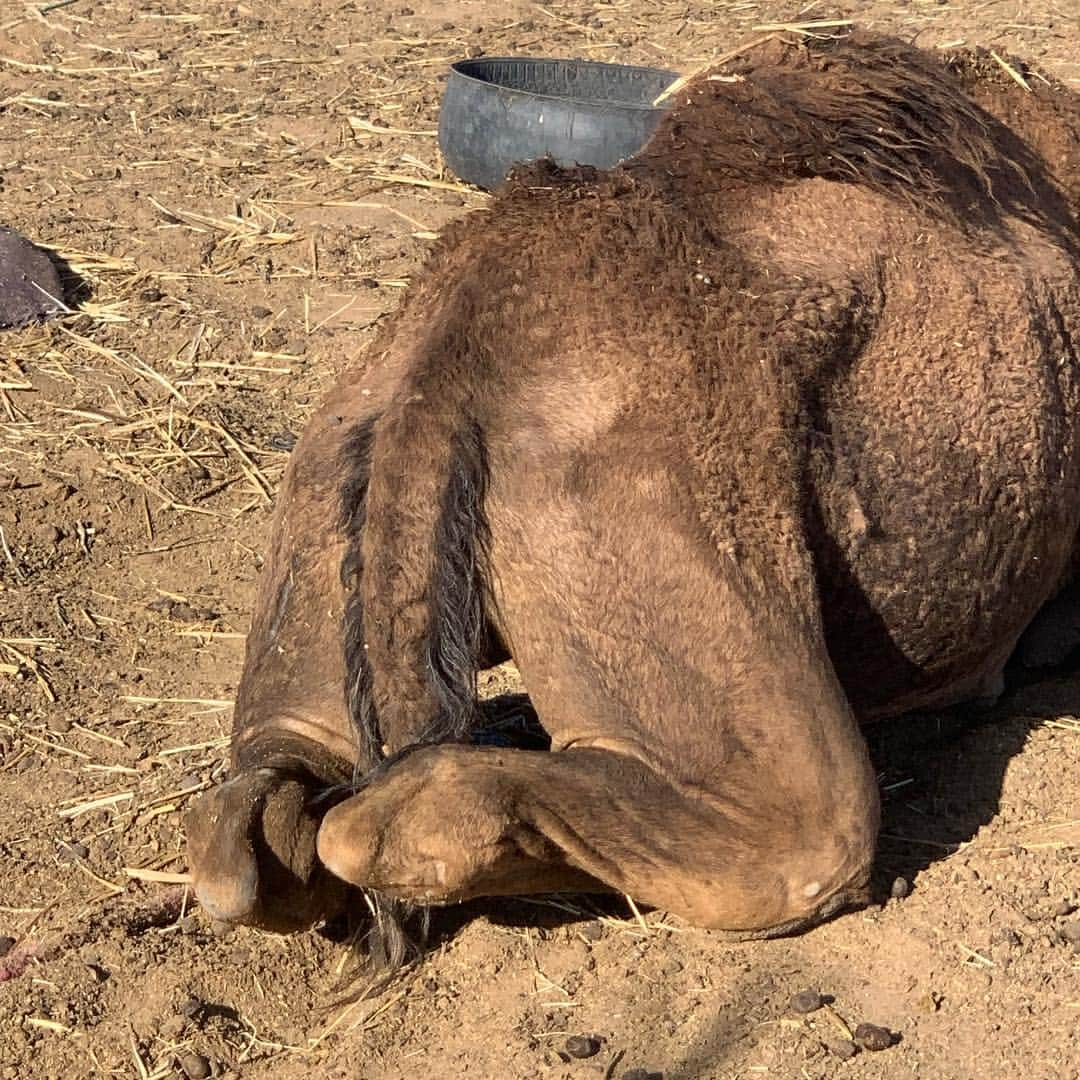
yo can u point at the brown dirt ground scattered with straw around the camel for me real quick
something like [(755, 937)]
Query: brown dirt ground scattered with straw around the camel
[(240, 193)]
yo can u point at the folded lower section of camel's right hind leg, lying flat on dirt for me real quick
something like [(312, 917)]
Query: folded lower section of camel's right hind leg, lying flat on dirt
[(449, 823)]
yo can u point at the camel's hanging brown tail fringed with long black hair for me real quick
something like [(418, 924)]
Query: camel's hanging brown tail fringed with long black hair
[(416, 578)]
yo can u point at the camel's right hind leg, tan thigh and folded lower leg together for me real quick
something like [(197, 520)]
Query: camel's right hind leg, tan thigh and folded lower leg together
[(706, 760)]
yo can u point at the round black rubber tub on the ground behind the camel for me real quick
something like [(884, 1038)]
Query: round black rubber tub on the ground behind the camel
[(498, 112)]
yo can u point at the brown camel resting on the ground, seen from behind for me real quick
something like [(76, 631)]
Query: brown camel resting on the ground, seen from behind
[(772, 433)]
